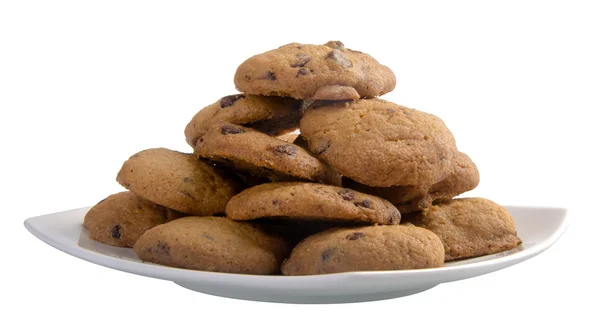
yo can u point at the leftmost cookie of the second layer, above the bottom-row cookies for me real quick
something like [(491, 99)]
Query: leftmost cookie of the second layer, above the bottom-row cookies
[(178, 181)]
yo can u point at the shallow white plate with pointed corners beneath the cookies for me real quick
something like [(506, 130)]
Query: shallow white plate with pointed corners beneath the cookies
[(538, 227)]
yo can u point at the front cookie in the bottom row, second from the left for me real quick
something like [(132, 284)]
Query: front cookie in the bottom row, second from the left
[(214, 244)]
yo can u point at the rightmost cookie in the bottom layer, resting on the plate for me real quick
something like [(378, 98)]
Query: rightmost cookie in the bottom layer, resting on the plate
[(470, 227)]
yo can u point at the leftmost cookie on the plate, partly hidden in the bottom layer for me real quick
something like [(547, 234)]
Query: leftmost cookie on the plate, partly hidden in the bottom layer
[(121, 219)]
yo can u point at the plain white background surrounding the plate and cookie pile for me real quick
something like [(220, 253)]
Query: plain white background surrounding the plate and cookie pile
[(83, 86)]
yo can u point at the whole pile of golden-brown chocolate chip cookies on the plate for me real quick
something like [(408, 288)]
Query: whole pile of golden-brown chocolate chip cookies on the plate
[(367, 184)]
